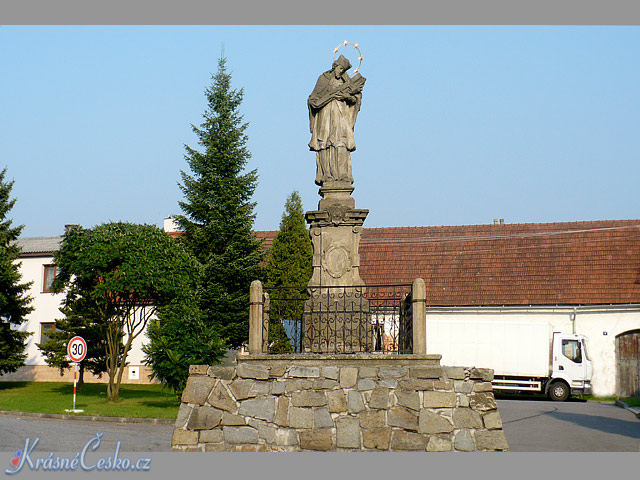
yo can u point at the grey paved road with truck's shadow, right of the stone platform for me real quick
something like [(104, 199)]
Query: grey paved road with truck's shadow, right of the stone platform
[(574, 426)]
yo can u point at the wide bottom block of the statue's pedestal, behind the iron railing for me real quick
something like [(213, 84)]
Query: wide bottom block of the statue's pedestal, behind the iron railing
[(337, 320)]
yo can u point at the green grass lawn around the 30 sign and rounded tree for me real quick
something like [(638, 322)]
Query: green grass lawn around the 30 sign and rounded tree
[(151, 401)]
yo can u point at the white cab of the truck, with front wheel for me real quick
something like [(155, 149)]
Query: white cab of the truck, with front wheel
[(571, 368)]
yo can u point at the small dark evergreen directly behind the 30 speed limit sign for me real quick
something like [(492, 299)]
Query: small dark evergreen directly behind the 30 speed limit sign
[(82, 318)]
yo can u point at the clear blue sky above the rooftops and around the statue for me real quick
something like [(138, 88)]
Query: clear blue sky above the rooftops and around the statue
[(459, 124)]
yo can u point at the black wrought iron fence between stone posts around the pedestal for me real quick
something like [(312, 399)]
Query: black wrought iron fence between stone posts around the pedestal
[(345, 319)]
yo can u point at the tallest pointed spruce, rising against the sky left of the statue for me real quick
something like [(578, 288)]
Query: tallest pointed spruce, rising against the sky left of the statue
[(218, 212)]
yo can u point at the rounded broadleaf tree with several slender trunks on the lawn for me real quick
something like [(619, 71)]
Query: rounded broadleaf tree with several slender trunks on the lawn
[(126, 273)]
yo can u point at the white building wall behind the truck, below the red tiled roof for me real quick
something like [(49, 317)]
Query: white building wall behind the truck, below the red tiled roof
[(599, 324)]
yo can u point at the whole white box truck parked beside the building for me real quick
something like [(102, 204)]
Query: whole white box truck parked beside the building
[(525, 356)]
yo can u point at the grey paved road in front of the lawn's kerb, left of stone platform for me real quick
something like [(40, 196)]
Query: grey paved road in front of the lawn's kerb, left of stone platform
[(71, 435)]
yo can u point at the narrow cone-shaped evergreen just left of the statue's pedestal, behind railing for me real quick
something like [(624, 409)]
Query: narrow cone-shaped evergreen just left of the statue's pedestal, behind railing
[(289, 265)]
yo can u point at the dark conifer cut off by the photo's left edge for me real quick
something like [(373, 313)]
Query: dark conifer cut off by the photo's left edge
[(15, 304)]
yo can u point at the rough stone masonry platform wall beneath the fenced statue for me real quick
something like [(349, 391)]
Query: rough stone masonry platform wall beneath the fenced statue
[(362, 402)]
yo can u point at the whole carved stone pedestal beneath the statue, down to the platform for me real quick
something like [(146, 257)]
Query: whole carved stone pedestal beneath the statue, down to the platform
[(336, 317)]
